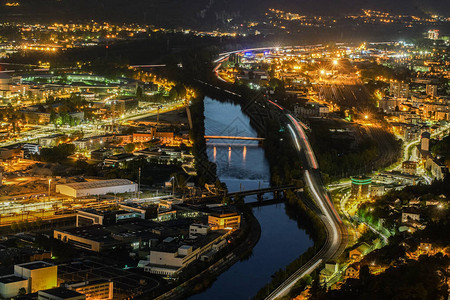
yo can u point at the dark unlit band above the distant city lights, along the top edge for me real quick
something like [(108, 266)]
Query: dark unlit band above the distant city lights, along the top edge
[(204, 12)]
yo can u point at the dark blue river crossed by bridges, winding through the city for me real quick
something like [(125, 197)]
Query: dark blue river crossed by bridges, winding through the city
[(242, 165)]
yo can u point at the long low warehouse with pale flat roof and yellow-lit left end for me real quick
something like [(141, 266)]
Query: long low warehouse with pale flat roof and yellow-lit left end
[(94, 188)]
